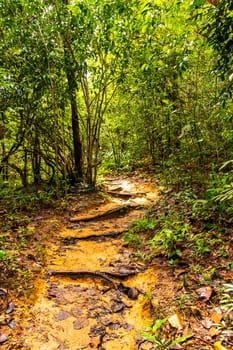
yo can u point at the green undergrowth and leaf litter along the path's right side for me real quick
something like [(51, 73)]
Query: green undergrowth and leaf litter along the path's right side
[(194, 235)]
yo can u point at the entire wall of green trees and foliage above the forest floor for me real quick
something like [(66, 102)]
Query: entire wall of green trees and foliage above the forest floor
[(140, 79)]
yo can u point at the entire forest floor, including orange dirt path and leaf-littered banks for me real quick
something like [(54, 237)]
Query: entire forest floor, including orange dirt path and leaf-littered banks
[(79, 277)]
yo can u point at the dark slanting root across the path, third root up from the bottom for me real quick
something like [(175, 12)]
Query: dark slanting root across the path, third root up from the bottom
[(106, 214)]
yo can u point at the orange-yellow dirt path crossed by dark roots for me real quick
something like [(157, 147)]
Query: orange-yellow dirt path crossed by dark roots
[(93, 293)]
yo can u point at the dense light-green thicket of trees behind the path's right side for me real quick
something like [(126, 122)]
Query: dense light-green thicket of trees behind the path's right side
[(164, 113)]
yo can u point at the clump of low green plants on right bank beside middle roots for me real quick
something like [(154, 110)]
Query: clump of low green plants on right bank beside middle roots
[(172, 235)]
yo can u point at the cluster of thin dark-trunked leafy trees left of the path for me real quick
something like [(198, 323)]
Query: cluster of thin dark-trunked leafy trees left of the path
[(82, 51)]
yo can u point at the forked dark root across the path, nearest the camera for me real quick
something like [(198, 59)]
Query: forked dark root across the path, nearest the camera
[(132, 293)]
